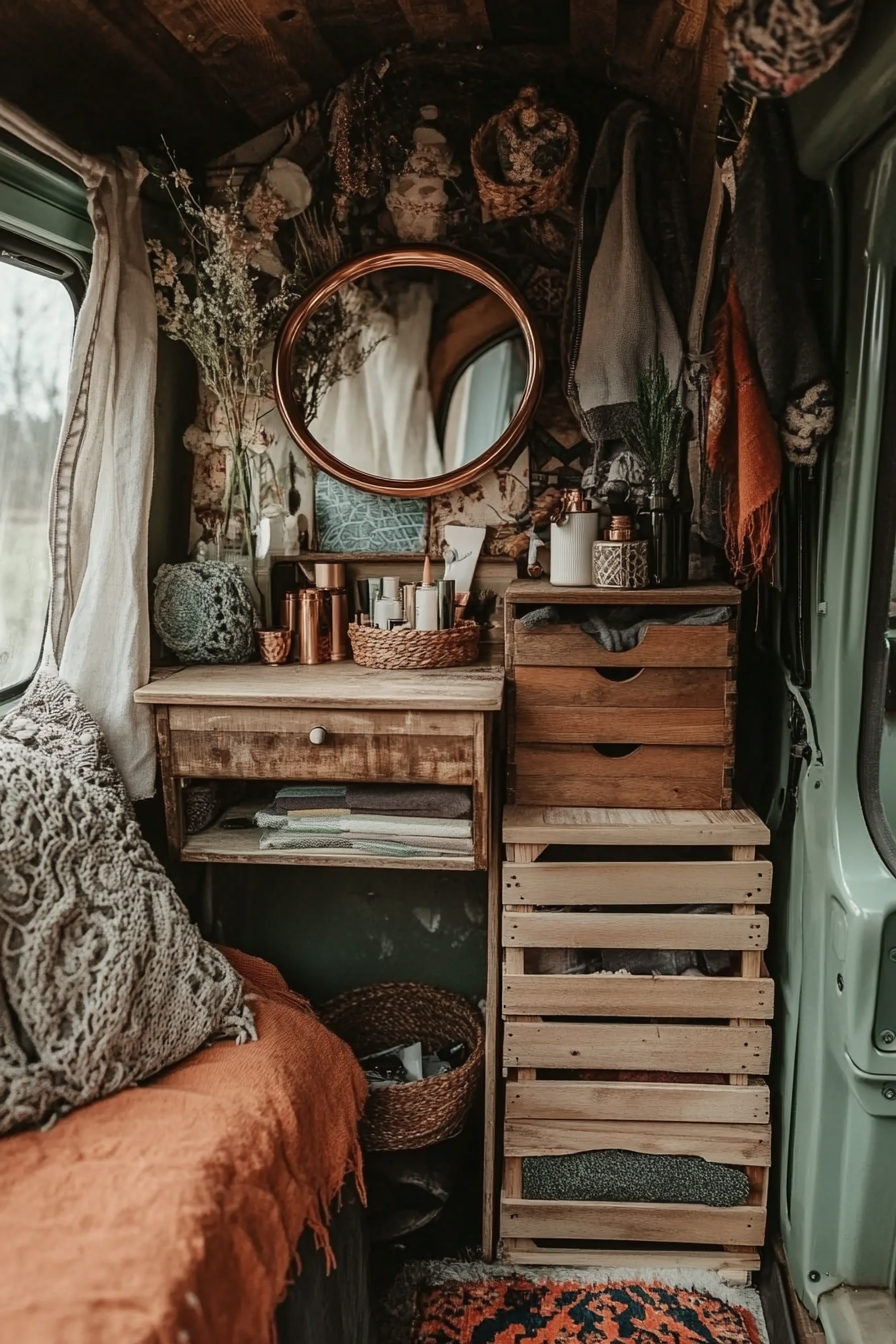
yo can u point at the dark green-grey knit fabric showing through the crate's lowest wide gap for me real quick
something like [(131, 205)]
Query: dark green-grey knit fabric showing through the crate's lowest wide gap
[(635, 1178)]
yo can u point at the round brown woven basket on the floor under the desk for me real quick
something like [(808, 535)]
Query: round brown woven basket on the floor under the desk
[(378, 1017)]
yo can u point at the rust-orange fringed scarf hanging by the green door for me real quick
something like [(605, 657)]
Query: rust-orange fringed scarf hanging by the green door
[(742, 446)]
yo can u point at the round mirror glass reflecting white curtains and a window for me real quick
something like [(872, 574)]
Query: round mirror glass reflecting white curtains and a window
[(427, 372)]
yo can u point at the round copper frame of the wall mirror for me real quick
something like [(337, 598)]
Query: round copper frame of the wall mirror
[(394, 259)]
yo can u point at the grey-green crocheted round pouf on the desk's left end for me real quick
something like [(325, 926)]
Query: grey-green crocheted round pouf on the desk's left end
[(204, 612)]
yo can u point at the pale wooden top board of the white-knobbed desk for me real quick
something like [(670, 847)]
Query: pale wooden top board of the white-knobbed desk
[(328, 685)]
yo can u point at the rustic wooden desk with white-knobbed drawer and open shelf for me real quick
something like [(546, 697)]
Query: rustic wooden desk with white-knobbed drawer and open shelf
[(334, 724)]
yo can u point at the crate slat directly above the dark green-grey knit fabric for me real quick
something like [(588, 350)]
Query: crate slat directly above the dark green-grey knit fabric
[(749, 1146)]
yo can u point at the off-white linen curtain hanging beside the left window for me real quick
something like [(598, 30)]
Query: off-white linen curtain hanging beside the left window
[(99, 627)]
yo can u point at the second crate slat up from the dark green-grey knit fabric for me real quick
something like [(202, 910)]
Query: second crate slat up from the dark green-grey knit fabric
[(586, 1101)]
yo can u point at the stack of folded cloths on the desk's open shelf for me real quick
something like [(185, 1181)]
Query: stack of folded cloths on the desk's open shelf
[(397, 821)]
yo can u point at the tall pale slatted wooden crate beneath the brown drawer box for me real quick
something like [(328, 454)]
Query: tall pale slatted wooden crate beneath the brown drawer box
[(566, 1026)]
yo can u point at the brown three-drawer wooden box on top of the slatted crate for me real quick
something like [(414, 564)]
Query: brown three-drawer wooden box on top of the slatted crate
[(648, 728)]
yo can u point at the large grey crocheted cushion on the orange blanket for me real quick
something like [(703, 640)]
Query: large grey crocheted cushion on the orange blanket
[(104, 980)]
